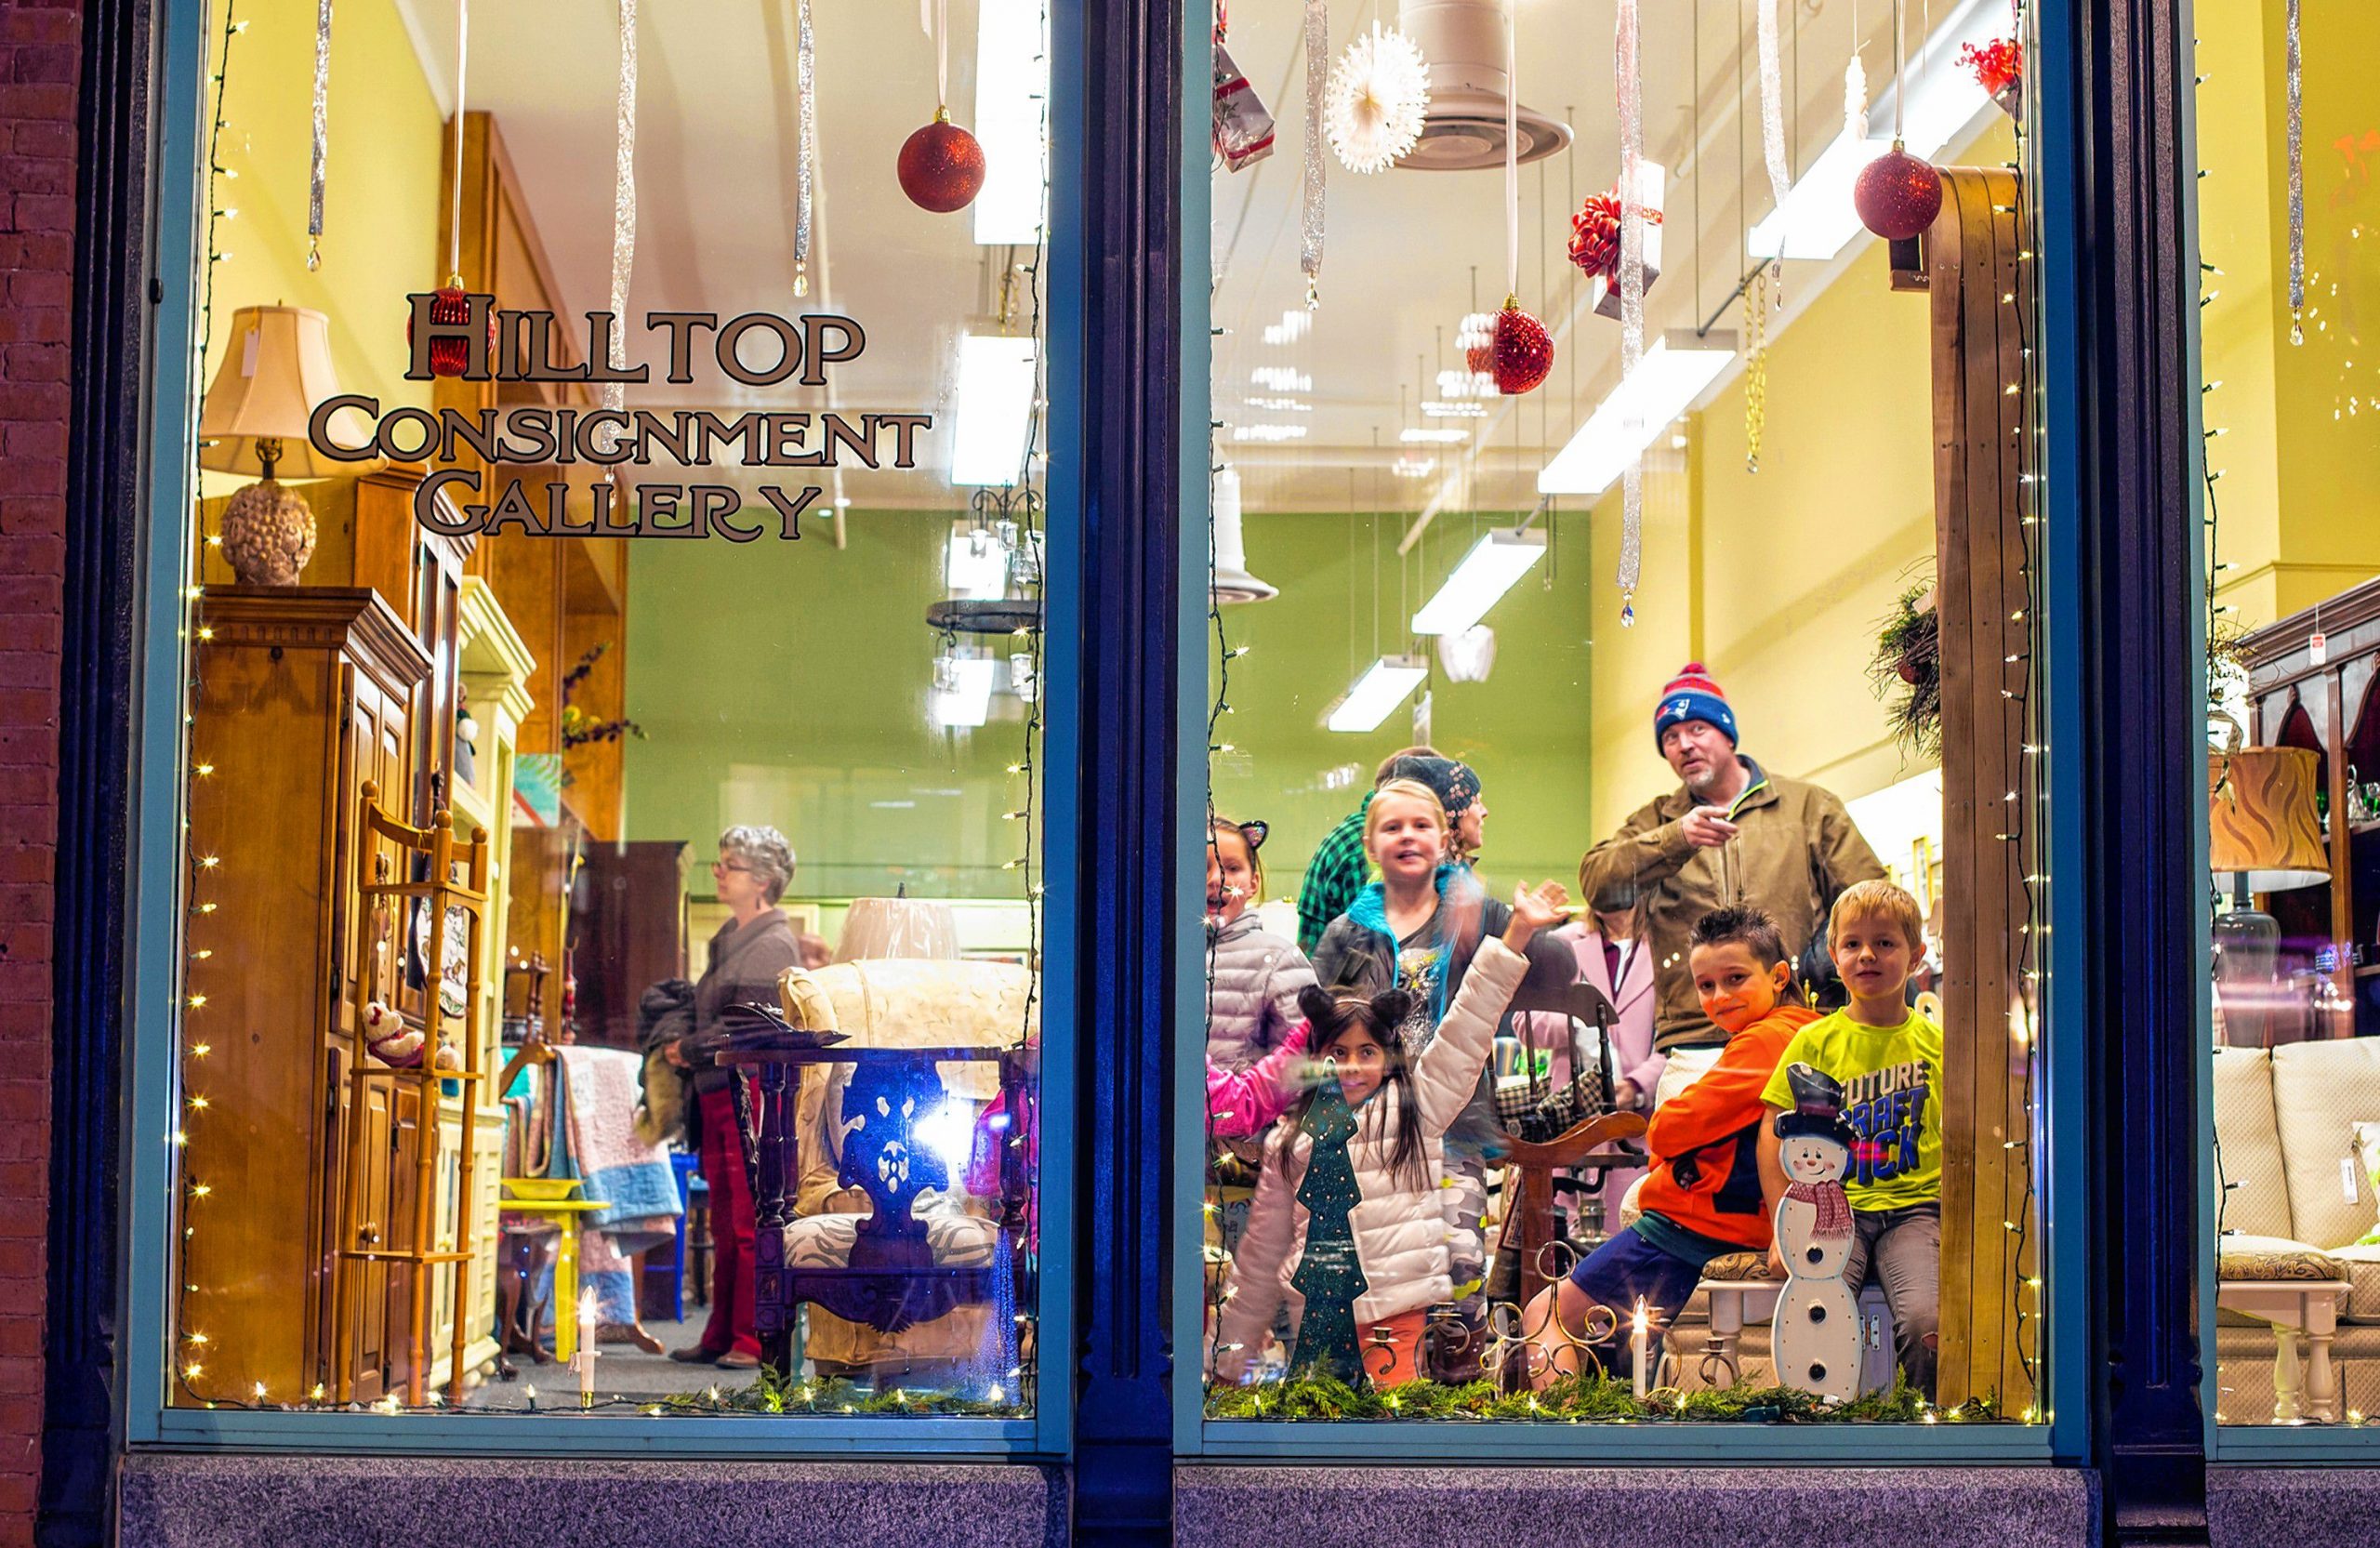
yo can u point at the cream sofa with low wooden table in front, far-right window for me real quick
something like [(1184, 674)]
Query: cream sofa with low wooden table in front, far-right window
[(2298, 1299)]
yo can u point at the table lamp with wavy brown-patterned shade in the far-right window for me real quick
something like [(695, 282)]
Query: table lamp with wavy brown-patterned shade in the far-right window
[(2267, 837)]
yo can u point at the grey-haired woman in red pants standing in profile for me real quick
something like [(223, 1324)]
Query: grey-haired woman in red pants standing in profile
[(749, 954)]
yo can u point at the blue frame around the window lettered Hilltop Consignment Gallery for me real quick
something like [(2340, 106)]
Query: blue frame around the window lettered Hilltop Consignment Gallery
[(154, 918)]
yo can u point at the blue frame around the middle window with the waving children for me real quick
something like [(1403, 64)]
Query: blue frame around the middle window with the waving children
[(2065, 1437)]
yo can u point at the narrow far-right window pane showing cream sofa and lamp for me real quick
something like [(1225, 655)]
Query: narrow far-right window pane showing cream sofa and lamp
[(2293, 668)]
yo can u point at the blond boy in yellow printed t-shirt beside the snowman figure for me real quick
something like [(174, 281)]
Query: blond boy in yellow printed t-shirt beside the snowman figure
[(1889, 1061)]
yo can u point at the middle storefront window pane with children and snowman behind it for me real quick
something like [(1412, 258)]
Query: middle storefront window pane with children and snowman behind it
[(1627, 801)]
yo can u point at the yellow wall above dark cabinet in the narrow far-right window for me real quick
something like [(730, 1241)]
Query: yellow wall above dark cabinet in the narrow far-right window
[(2303, 423)]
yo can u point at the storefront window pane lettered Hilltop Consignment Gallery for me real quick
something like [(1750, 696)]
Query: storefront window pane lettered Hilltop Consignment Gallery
[(613, 816)]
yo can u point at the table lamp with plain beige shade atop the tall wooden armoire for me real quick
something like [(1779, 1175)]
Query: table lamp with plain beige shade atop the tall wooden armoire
[(277, 370)]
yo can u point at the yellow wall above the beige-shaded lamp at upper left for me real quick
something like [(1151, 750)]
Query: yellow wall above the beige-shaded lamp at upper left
[(382, 192)]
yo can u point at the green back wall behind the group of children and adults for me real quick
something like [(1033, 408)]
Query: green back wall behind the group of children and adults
[(1524, 730)]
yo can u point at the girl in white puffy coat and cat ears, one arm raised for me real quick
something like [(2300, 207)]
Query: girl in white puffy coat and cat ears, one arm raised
[(1348, 1223)]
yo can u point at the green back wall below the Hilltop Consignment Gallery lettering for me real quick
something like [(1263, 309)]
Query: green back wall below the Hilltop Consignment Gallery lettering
[(787, 685)]
